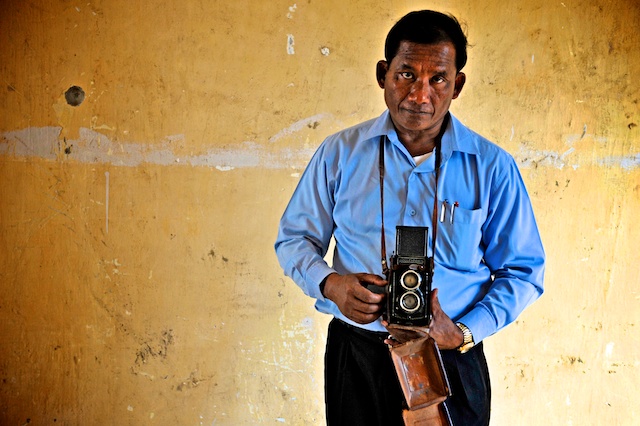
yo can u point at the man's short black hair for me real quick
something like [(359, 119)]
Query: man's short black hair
[(427, 27)]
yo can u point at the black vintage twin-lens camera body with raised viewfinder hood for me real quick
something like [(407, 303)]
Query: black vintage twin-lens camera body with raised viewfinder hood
[(409, 277)]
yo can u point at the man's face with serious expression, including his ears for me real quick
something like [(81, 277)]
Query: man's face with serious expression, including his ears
[(419, 84)]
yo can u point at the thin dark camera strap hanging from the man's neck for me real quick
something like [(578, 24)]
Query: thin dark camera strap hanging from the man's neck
[(434, 218)]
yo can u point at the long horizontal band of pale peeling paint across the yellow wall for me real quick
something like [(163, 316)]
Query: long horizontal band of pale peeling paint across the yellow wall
[(93, 147)]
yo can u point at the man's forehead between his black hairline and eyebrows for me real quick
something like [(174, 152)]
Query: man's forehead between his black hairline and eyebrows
[(437, 55)]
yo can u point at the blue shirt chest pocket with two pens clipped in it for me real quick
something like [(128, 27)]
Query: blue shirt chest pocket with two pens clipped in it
[(458, 244)]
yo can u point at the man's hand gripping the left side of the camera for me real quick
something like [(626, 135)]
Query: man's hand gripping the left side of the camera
[(354, 300)]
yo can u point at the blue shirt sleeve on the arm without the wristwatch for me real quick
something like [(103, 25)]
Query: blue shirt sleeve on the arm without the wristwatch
[(307, 225)]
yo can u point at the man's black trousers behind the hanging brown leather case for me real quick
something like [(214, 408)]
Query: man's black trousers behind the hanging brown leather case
[(361, 386)]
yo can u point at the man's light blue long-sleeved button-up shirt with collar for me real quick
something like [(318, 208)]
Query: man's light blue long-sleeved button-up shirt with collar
[(489, 260)]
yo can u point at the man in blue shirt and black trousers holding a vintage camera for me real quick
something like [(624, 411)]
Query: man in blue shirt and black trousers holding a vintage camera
[(489, 260)]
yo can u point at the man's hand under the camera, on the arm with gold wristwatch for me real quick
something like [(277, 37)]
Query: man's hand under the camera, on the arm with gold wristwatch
[(446, 334)]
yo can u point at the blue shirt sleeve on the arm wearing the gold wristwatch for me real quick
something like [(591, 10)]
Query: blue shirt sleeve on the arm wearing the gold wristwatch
[(513, 253)]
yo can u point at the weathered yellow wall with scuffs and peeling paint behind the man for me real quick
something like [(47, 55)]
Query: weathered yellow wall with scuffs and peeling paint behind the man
[(138, 280)]
